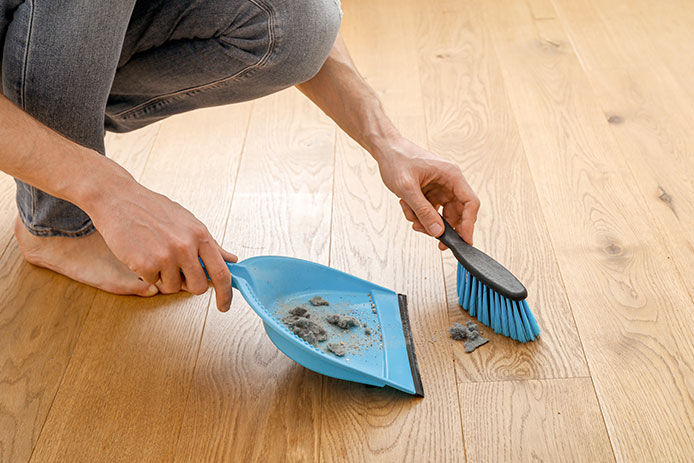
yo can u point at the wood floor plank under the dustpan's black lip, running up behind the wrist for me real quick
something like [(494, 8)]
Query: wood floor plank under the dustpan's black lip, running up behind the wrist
[(372, 240)]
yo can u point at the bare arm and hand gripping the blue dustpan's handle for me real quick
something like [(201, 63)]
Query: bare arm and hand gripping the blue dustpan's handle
[(154, 236)]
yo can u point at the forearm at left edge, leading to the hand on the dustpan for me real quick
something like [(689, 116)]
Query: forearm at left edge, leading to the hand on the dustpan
[(35, 154)]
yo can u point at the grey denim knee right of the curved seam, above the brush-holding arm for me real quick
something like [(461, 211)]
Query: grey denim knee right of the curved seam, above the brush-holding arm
[(306, 33)]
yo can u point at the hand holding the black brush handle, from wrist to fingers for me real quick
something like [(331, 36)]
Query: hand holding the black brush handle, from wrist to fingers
[(425, 182)]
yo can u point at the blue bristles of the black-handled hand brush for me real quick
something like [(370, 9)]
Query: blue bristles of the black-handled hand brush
[(509, 318)]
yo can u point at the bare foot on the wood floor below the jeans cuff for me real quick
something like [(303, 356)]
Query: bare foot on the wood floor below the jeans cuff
[(86, 259)]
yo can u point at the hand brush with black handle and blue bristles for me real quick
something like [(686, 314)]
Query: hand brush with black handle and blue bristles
[(489, 292)]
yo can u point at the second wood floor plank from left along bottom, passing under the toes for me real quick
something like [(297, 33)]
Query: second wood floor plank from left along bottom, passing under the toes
[(124, 392)]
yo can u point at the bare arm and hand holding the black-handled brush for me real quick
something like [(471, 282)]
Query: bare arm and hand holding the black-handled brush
[(422, 181)]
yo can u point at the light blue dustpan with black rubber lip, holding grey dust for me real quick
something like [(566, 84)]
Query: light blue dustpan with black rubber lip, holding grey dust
[(274, 285)]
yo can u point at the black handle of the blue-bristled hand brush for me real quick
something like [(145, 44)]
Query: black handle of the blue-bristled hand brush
[(481, 266)]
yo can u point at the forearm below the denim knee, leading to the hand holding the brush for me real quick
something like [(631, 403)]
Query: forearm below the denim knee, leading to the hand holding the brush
[(343, 94)]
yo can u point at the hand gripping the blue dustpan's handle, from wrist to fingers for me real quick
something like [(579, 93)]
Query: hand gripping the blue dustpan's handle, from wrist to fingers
[(160, 240)]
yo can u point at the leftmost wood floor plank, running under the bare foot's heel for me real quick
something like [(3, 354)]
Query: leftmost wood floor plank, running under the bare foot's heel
[(41, 316)]
